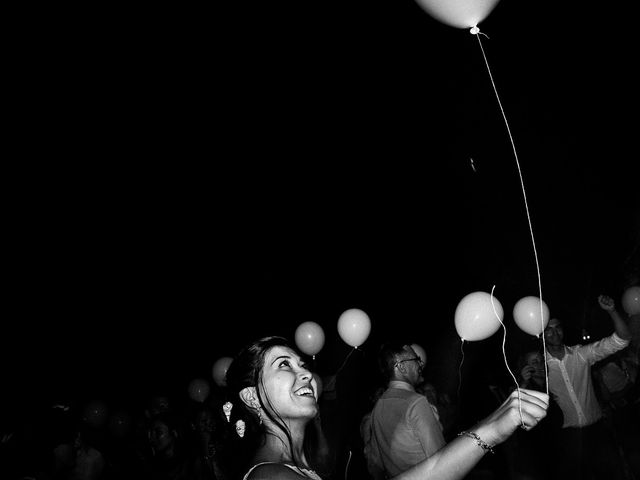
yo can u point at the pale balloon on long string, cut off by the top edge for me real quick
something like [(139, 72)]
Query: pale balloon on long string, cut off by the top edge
[(458, 13)]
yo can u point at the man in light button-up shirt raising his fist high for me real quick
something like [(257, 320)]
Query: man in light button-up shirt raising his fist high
[(587, 445)]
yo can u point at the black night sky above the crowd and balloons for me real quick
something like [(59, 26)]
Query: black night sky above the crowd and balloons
[(185, 181)]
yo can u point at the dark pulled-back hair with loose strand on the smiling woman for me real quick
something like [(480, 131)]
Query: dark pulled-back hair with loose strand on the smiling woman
[(246, 371)]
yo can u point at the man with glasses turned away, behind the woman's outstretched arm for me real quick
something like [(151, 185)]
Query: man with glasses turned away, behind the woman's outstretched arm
[(403, 429)]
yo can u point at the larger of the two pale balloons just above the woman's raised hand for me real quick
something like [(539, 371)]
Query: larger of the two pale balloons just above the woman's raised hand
[(475, 318)]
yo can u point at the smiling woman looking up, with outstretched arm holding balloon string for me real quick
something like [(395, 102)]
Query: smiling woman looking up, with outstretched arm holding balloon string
[(278, 392)]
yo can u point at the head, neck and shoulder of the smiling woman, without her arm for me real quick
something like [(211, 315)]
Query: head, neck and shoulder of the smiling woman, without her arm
[(278, 394)]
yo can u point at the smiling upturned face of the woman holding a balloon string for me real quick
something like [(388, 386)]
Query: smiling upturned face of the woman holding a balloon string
[(288, 384)]
